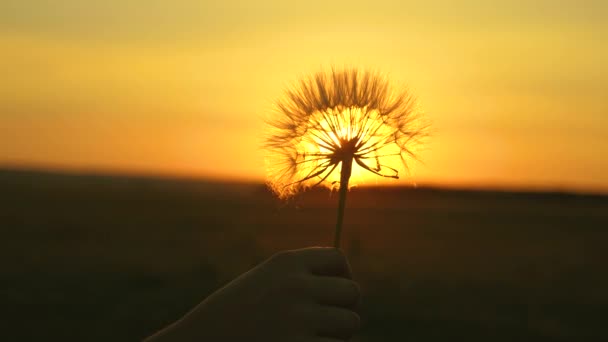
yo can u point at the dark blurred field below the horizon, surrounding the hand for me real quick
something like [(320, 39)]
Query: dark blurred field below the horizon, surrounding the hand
[(96, 258)]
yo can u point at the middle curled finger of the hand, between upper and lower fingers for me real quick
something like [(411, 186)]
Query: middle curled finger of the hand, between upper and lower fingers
[(335, 291)]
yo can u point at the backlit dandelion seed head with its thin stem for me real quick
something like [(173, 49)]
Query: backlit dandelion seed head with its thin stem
[(345, 118)]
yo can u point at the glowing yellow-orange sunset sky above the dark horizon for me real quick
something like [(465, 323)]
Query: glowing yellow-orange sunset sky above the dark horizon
[(517, 91)]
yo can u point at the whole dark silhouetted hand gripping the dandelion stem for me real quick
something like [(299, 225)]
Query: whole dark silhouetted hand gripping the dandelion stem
[(300, 295)]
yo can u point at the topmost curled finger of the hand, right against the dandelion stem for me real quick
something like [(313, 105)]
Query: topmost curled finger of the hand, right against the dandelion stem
[(326, 261)]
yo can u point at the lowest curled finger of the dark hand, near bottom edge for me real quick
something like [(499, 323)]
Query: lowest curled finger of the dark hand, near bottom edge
[(337, 322)]
